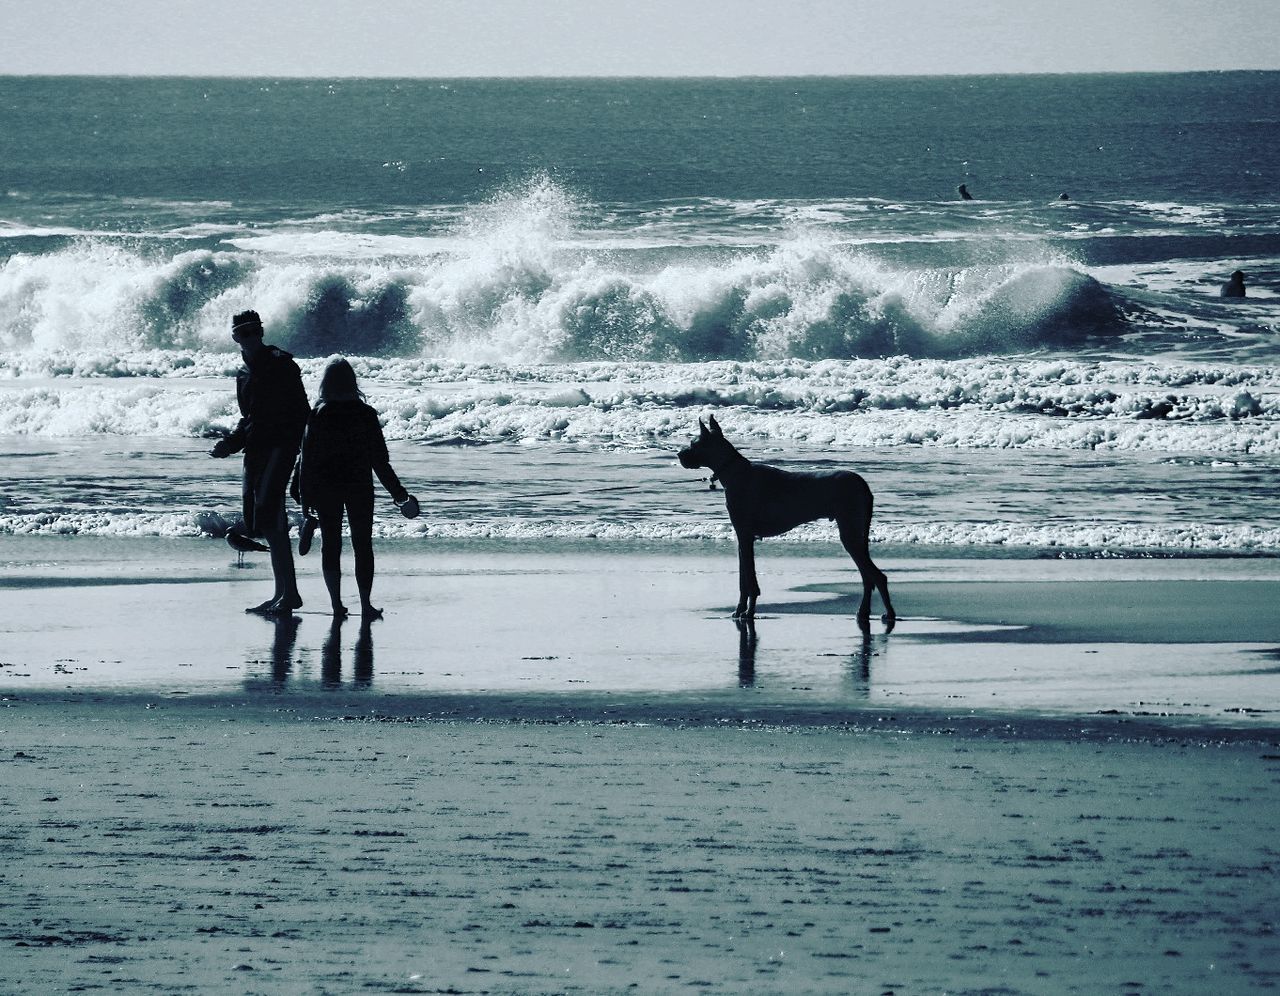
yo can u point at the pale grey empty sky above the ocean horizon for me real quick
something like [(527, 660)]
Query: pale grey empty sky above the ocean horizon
[(637, 38)]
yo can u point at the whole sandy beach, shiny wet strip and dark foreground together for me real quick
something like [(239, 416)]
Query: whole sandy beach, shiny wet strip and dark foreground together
[(556, 771)]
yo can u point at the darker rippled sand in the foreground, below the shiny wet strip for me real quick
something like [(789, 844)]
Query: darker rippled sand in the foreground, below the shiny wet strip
[(253, 849)]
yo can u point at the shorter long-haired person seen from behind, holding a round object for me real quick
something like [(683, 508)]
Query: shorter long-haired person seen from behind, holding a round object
[(342, 449)]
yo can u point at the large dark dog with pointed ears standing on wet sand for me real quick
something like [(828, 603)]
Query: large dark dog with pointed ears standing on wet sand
[(766, 501)]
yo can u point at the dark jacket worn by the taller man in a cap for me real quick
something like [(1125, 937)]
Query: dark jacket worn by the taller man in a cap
[(273, 404)]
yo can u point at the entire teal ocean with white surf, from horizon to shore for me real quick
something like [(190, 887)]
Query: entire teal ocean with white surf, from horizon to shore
[(545, 284)]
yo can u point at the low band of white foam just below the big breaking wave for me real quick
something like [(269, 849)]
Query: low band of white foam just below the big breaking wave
[(970, 404)]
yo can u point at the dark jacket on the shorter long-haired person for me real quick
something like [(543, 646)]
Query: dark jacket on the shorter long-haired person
[(344, 449)]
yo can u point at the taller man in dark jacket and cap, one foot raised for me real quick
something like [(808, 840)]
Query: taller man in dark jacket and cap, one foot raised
[(273, 417)]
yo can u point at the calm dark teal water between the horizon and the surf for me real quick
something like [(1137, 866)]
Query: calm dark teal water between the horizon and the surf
[(324, 145)]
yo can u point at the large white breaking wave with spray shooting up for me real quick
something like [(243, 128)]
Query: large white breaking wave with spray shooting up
[(520, 280)]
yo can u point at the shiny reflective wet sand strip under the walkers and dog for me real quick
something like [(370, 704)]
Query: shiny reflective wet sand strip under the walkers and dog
[(643, 634)]
